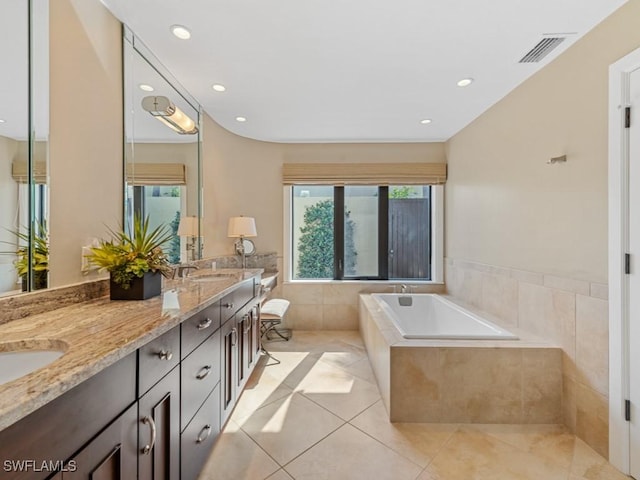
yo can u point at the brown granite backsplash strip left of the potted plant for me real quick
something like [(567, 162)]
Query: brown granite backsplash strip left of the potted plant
[(42, 301)]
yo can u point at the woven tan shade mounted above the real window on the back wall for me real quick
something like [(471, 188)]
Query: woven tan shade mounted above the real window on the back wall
[(364, 173)]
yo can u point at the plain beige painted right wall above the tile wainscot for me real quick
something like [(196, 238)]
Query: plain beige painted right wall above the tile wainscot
[(504, 205)]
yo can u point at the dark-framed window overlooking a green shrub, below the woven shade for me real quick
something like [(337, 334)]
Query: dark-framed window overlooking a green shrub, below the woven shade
[(362, 232)]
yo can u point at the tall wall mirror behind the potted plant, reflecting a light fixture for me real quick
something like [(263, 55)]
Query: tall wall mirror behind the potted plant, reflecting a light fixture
[(162, 151)]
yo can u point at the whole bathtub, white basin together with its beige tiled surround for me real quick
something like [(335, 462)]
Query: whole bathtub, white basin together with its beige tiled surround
[(462, 369)]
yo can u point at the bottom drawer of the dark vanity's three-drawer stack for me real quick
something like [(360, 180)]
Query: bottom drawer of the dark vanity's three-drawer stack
[(197, 439)]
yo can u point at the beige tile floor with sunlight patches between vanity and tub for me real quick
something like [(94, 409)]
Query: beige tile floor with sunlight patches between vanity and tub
[(318, 415)]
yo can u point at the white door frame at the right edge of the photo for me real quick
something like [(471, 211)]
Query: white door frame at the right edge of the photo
[(619, 428)]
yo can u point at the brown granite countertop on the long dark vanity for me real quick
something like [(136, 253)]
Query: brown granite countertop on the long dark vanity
[(97, 333)]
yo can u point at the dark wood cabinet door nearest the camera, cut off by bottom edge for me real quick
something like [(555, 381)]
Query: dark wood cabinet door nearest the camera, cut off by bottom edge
[(109, 456)]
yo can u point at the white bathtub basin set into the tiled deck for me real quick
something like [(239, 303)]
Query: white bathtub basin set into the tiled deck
[(428, 315)]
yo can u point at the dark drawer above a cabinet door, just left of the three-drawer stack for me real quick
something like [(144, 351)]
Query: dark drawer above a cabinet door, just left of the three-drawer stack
[(157, 358)]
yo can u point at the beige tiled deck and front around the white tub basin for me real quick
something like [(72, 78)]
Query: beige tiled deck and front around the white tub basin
[(462, 381)]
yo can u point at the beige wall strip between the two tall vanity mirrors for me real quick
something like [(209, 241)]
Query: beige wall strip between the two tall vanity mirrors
[(85, 133)]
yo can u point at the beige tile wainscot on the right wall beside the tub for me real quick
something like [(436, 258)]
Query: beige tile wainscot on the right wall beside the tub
[(572, 314)]
